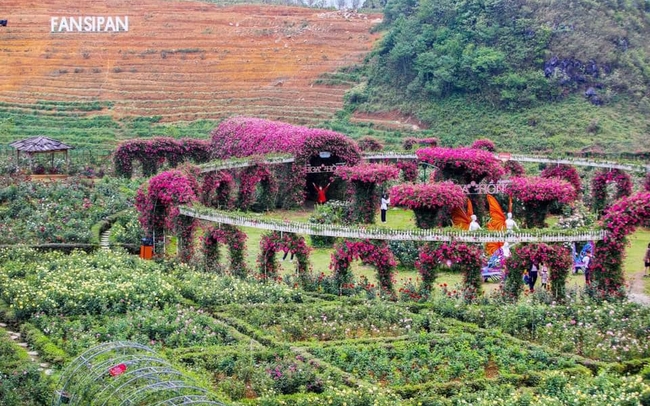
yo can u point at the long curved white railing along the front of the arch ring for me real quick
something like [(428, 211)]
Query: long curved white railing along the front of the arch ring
[(374, 233)]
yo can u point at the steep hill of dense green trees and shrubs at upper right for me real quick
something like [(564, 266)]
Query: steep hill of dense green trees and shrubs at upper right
[(506, 69)]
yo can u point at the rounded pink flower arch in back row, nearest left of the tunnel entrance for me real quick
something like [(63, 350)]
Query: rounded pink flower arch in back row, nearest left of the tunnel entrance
[(249, 178)]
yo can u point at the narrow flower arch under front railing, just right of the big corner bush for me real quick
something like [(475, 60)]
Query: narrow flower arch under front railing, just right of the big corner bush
[(234, 238)]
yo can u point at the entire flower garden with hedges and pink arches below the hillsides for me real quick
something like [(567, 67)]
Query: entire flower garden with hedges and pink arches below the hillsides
[(258, 295)]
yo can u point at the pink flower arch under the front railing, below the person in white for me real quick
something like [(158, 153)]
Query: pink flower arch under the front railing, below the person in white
[(376, 253)]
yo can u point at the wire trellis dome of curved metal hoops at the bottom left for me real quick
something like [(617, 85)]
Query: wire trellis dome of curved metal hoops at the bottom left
[(127, 373)]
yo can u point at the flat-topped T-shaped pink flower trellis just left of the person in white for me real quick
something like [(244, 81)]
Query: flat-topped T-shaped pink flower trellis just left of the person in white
[(365, 178)]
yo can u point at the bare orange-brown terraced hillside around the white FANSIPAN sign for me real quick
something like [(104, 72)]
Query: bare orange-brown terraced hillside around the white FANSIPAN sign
[(181, 60)]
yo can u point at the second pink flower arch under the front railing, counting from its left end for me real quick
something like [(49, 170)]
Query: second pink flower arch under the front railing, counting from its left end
[(278, 241)]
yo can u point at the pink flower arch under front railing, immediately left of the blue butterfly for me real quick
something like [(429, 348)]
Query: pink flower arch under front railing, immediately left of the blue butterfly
[(467, 258)]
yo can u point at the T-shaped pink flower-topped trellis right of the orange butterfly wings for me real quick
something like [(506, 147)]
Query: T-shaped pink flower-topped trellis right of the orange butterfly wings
[(538, 194)]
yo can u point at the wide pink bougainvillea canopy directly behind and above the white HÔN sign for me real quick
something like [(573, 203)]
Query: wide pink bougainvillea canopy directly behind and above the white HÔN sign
[(463, 165)]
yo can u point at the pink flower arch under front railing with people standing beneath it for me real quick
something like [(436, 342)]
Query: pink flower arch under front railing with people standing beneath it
[(557, 259)]
